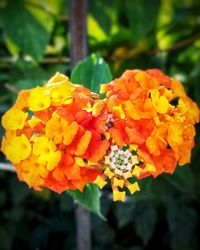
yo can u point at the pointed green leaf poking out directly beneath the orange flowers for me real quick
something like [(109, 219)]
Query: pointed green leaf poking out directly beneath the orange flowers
[(89, 198)]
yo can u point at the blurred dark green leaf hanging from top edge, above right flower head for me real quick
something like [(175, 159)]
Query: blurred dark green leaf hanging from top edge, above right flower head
[(142, 16)]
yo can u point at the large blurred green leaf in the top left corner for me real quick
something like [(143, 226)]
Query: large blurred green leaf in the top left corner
[(25, 30)]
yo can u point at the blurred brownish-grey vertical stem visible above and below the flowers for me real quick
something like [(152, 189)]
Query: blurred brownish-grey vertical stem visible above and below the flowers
[(78, 51)]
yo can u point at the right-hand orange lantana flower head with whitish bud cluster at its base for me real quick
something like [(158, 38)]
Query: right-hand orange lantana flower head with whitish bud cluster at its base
[(150, 128)]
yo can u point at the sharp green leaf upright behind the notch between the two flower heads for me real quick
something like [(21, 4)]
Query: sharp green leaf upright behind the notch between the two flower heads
[(91, 72)]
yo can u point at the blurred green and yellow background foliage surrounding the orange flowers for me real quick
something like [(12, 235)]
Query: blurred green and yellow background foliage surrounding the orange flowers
[(34, 42)]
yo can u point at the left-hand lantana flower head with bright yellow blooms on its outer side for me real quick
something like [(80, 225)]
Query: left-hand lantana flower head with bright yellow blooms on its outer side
[(52, 139)]
